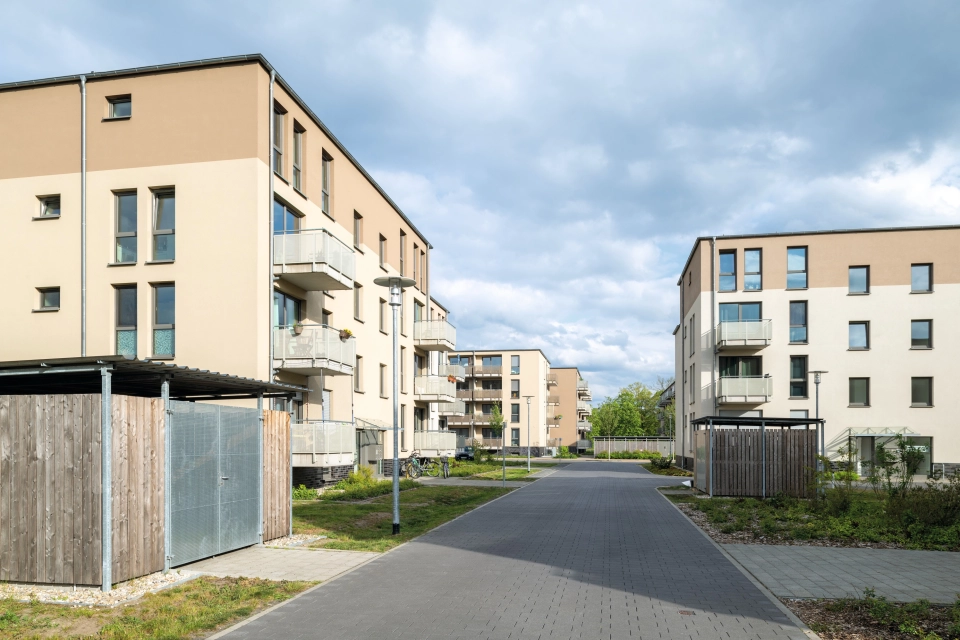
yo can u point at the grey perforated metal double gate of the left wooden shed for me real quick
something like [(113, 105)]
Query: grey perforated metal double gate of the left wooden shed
[(215, 480)]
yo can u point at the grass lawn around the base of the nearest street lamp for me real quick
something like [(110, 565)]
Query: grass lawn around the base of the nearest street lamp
[(367, 525)]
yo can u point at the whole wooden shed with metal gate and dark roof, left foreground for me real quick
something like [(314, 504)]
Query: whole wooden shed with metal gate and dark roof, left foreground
[(113, 468)]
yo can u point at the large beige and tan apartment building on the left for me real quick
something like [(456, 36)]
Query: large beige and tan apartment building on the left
[(201, 213)]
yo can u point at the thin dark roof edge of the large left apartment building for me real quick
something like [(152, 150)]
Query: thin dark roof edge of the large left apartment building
[(209, 62)]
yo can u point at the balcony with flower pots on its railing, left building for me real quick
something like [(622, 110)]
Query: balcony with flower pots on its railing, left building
[(316, 350)]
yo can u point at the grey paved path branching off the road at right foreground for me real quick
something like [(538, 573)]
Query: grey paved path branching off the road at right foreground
[(826, 572)]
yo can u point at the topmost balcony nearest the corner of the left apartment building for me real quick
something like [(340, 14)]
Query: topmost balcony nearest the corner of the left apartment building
[(313, 260)]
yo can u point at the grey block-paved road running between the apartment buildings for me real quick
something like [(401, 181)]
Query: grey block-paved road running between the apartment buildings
[(589, 552)]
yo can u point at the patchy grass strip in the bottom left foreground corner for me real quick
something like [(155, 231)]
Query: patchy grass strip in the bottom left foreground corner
[(197, 607)]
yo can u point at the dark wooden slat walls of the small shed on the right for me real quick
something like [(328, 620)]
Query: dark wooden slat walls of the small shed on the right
[(741, 467)]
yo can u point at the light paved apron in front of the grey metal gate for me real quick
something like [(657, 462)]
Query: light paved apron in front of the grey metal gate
[(282, 564)]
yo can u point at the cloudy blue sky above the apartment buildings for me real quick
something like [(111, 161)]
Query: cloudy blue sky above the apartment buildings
[(562, 157)]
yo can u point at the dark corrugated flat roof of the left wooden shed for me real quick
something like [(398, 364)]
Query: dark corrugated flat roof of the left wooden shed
[(131, 377)]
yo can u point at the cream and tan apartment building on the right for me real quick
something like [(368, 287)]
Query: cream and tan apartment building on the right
[(761, 314)]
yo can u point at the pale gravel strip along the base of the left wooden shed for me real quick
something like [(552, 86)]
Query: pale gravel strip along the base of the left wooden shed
[(93, 596)]
